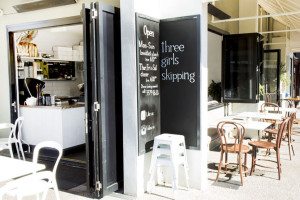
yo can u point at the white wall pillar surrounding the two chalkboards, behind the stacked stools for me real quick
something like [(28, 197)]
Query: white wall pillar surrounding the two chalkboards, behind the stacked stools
[(136, 167)]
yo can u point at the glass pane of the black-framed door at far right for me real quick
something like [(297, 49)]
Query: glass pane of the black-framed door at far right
[(270, 74)]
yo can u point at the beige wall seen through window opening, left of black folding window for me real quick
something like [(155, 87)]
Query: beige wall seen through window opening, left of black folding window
[(214, 58)]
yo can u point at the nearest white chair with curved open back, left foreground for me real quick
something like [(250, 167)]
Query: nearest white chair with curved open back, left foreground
[(37, 182)]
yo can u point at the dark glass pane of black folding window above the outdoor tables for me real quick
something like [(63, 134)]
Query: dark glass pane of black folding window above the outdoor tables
[(238, 71)]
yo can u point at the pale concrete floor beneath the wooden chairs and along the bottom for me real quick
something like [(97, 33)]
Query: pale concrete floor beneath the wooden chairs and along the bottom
[(264, 184)]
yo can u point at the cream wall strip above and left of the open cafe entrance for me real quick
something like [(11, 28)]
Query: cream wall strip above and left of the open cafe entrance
[(34, 16)]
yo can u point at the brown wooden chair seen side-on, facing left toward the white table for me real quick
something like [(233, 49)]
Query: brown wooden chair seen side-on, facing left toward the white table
[(269, 145)]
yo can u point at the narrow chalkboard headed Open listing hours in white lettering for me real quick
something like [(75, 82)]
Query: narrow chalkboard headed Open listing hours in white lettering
[(148, 81)]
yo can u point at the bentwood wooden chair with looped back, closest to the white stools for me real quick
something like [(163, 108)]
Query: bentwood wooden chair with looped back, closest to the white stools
[(235, 148)]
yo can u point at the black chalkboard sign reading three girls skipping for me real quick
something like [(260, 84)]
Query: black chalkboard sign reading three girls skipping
[(180, 83)]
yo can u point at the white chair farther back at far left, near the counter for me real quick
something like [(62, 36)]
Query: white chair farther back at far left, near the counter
[(14, 138)]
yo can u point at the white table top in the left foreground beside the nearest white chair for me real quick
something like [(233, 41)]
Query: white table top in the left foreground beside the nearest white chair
[(12, 168)]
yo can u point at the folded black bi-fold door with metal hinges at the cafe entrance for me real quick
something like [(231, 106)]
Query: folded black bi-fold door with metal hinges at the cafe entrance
[(105, 96)]
